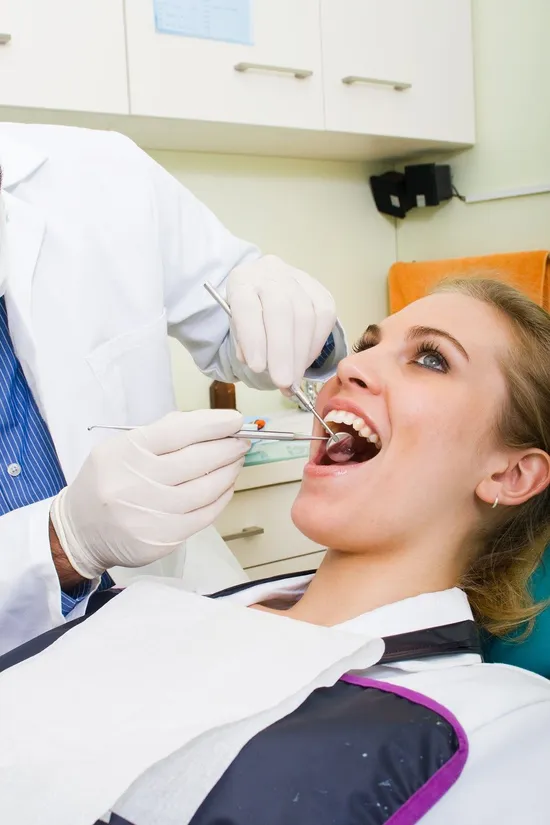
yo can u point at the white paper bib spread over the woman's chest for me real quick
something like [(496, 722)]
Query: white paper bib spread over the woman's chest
[(155, 670)]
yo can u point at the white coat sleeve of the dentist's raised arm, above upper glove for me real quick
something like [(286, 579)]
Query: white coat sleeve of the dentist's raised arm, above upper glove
[(196, 247)]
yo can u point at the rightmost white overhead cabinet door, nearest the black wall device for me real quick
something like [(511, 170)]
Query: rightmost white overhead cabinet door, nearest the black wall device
[(399, 68)]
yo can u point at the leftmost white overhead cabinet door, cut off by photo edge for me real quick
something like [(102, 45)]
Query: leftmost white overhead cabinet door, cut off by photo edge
[(64, 54)]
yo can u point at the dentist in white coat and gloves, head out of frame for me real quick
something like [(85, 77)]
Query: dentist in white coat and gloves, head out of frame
[(102, 255)]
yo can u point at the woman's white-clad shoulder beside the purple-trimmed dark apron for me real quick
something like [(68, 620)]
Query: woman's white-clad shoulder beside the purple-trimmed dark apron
[(504, 713)]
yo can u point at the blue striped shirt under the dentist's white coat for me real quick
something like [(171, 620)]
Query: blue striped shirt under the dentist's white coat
[(29, 466)]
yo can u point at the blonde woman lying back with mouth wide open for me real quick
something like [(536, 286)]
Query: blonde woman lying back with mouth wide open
[(438, 522)]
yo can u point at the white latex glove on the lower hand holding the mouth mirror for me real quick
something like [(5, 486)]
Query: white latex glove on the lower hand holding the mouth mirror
[(139, 495)]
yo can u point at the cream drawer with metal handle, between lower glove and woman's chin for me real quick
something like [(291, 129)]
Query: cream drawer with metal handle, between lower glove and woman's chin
[(268, 510)]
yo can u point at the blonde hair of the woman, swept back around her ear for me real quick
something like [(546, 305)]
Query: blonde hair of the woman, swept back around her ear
[(512, 540)]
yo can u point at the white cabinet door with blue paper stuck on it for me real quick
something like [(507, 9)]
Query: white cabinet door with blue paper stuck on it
[(184, 77)]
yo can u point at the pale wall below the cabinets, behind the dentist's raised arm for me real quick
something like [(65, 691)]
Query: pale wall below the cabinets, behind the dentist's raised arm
[(317, 215)]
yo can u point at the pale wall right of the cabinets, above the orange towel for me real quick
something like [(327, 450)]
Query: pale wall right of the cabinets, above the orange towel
[(512, 68)]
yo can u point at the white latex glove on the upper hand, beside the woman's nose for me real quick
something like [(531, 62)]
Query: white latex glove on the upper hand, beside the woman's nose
[(281, 318)]
